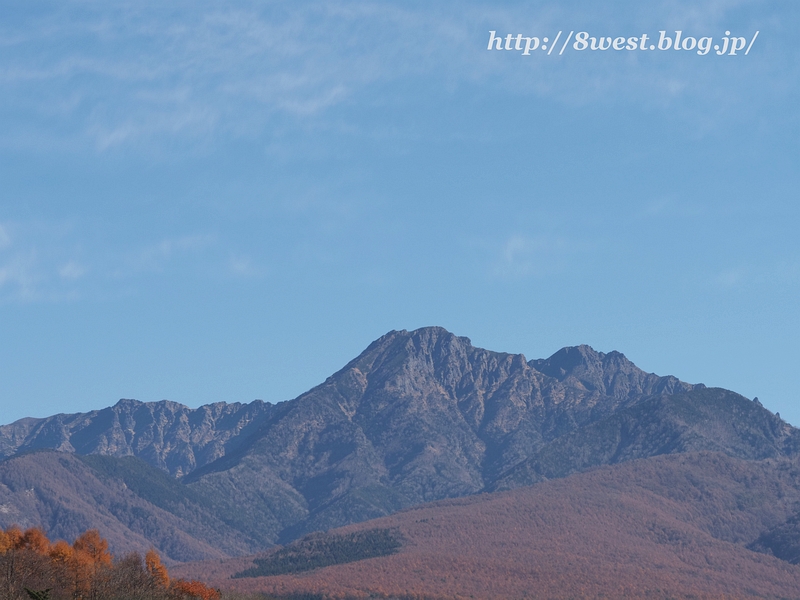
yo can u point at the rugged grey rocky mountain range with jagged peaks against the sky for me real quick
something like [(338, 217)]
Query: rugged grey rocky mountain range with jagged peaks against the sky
[(419, 416)]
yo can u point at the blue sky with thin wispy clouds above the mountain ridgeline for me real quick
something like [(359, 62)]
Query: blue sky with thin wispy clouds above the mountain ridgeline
[(205, 201)]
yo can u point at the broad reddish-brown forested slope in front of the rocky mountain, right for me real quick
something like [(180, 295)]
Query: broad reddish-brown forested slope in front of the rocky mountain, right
[(665, 527)]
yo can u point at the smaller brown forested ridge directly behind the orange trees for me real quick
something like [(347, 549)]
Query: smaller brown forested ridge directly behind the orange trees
[(66, 494)]
